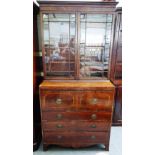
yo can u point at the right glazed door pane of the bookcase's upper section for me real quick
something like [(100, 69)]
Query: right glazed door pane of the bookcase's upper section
[(95, 36)]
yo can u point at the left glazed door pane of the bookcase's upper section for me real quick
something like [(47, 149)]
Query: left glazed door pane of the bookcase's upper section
[(59, 41)]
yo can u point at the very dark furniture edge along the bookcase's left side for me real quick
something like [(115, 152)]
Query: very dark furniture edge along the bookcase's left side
[(36, 110)]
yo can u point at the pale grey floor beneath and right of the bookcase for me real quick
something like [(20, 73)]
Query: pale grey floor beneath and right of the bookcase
[(115, 147)]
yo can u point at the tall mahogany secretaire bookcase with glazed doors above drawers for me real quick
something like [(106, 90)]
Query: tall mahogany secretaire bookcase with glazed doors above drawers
[(76, 96)]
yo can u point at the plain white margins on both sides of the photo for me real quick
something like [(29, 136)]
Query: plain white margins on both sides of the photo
[(16, 82)]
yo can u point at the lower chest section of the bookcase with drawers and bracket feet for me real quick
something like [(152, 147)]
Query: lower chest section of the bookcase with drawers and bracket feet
[(78, 116)]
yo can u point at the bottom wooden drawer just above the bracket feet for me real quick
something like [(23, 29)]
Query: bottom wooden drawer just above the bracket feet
[(75, 137)]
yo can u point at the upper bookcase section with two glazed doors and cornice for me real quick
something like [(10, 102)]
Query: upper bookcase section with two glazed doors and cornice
[(76, 44)]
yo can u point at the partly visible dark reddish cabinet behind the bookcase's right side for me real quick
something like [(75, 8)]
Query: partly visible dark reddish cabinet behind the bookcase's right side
[(116, 68)]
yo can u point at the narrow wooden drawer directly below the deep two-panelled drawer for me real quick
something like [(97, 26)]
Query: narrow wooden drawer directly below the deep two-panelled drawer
[(89, 116)]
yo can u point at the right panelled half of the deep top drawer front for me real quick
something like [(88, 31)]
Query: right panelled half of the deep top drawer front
[(96, 101)]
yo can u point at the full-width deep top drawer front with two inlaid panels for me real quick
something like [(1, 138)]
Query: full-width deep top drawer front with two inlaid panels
[(77, 101)]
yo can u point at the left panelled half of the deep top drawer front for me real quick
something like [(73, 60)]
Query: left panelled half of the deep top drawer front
[(58, 101)]
